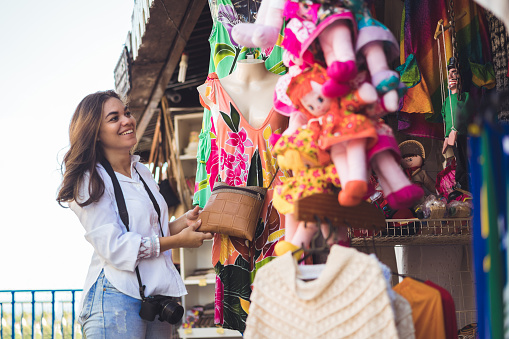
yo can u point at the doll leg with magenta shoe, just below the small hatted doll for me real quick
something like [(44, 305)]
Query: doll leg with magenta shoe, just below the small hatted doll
[(398, 190)]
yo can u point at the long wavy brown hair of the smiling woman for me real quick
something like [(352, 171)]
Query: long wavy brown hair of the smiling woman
[(85, 151)]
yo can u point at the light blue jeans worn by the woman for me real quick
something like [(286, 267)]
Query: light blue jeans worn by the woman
[(109, 314)]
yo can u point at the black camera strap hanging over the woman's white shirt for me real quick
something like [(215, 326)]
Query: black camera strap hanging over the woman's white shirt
[(122, 209)]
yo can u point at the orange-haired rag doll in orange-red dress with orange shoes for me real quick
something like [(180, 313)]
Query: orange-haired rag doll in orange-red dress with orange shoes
[(338, 129)]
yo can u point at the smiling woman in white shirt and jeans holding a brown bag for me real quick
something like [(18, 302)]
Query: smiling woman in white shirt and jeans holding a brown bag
[(102, 128)]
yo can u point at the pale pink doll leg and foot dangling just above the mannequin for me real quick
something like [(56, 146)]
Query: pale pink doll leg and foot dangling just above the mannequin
[(265, 31)]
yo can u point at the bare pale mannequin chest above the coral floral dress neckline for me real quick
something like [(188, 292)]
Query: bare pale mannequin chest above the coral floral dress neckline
[(251, 87)]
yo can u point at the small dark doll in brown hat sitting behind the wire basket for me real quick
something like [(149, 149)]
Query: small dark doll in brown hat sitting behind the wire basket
[(413, 156)]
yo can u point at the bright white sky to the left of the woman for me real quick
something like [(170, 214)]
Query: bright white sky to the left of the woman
[(52, 54)]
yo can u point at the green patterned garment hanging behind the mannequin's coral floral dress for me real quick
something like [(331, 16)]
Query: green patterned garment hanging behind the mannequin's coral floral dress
[(224, 54)]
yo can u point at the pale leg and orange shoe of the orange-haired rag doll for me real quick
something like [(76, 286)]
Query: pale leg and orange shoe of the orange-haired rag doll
[(356, 186)]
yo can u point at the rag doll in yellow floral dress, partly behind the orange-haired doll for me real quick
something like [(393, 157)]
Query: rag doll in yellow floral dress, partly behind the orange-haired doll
[(312, 173)]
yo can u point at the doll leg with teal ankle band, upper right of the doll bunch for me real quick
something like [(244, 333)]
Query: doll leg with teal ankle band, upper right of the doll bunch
[(385, 80)]
